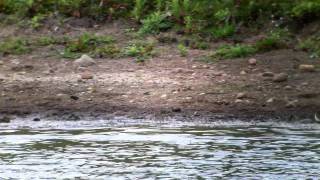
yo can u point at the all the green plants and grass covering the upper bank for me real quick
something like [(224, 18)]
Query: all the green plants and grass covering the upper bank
[(207, 19)]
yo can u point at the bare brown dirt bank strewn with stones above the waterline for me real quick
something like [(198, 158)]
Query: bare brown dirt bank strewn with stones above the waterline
[(166, 85)]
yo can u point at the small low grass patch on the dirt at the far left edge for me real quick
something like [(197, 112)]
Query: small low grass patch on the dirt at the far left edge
[(15, 46)]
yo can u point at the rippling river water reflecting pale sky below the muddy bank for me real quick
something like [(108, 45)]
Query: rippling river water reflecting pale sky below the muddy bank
[(125, 149)]
